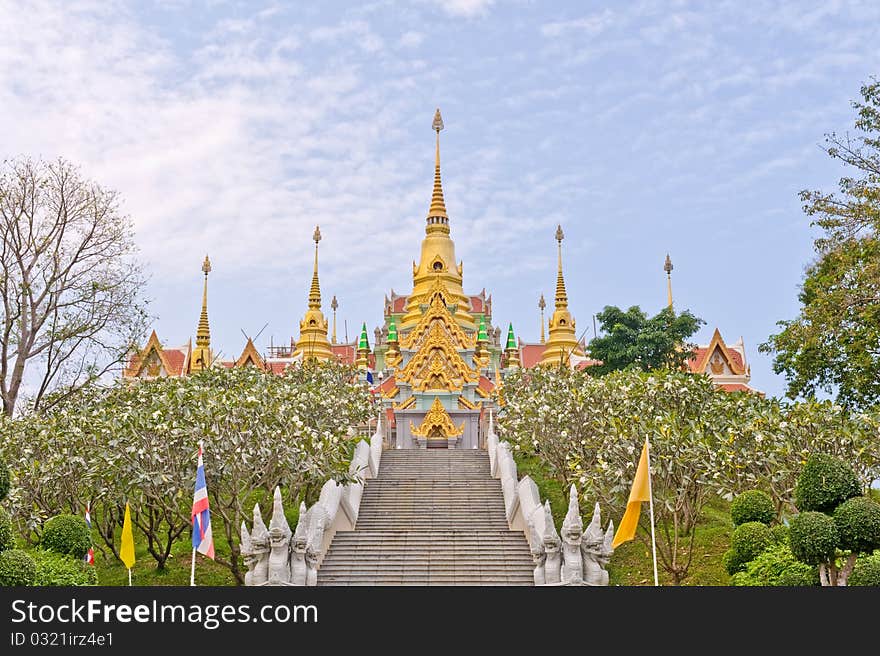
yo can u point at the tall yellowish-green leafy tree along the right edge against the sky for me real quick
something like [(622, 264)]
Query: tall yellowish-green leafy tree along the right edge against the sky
[(833, 345)]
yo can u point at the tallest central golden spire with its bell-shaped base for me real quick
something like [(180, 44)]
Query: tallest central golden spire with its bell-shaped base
[(437, 261)]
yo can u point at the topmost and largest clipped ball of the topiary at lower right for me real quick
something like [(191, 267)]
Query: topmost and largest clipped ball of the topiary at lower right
[(824, 484)]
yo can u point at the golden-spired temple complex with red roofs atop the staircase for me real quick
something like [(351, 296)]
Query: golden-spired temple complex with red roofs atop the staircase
[(438, 361)]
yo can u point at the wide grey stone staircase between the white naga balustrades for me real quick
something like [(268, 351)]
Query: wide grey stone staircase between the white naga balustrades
[(431, 517)]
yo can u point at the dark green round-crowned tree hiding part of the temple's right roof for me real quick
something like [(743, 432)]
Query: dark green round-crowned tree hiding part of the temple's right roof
[(631, 340)]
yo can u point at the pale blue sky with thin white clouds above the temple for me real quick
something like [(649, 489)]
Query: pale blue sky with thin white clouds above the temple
[(233, 128)]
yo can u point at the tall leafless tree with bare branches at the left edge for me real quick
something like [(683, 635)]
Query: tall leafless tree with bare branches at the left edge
[(69, 281)]
